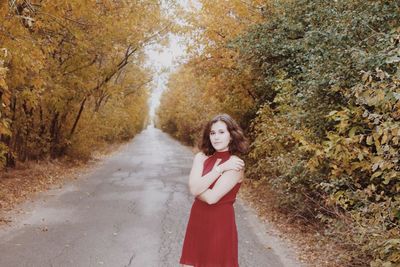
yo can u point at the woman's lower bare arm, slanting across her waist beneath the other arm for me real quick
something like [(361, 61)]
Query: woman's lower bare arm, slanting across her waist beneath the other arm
[(225, 183)]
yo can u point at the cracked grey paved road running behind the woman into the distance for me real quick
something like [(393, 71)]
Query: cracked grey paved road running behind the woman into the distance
[(131, 210)]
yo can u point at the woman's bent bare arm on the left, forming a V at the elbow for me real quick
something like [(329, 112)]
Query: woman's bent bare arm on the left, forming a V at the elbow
[(198, 183)]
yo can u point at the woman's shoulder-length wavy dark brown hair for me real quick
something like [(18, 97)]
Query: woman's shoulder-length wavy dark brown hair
[(238, 144)]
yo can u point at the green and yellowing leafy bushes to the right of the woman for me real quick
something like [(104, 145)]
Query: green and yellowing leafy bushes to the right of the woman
[(339, 101)]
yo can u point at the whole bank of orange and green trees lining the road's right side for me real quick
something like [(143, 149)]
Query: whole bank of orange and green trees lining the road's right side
[(316, 87)]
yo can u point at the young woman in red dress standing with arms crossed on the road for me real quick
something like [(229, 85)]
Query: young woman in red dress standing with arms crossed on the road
[(215, 178)]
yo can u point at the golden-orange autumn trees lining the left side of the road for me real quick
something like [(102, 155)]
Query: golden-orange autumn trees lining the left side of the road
[(72, 75)]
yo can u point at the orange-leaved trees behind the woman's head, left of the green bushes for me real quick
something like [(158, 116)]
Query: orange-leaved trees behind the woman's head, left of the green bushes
[(212, 80)]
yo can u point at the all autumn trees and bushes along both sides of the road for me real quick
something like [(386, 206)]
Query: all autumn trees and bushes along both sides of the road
[(314, 84)]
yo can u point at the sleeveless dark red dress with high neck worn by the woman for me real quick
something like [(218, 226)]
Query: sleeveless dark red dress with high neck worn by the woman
[(211, 238)]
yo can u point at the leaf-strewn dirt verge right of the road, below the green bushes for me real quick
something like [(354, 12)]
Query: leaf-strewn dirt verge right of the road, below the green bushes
[(308, 244)]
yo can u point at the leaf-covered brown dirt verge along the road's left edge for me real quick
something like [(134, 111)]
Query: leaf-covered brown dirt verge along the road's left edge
[(24, 182)]
